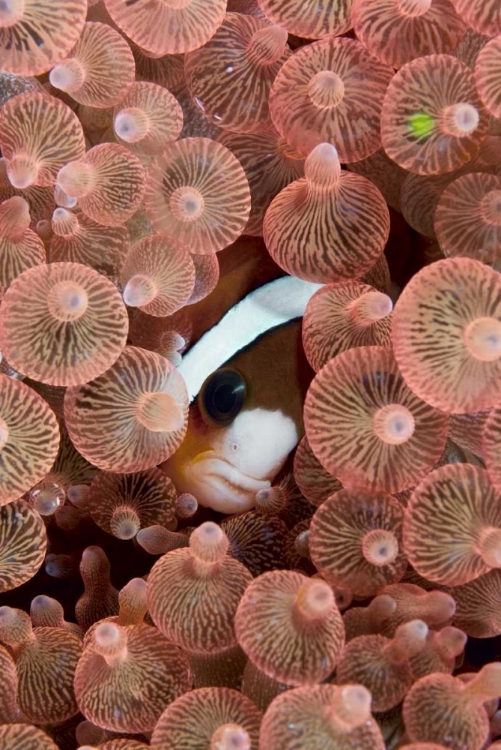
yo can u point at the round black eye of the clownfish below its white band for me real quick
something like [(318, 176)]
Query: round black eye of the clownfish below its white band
[(222, 396)]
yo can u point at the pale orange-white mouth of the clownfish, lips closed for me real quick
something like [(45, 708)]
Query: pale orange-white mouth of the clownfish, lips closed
[(225, 477)]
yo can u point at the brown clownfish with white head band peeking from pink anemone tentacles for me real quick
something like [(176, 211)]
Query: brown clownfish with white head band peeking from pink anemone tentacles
[(247, 378)]
